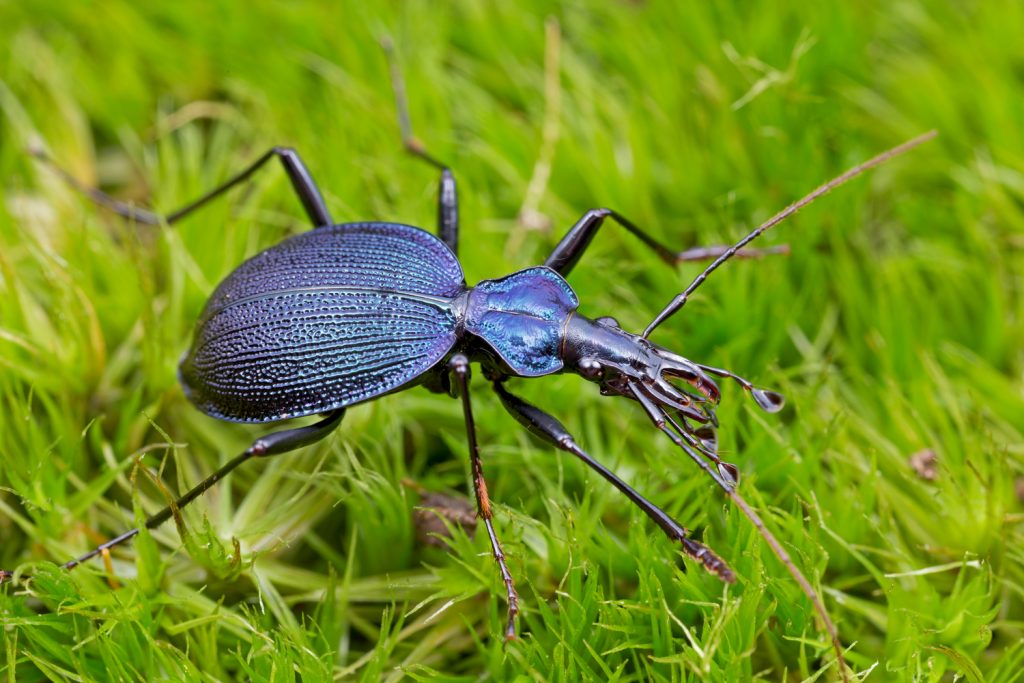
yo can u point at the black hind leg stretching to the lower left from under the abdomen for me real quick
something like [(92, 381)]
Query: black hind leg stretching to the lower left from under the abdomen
[(272, 445)]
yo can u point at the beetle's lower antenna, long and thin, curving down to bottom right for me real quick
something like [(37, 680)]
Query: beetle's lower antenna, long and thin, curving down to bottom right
[(663, 422)]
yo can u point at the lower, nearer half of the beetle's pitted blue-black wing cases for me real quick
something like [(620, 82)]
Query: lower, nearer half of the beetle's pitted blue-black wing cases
[(293, 354)]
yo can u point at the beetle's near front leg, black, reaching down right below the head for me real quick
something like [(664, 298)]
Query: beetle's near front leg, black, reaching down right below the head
[(552, 432)]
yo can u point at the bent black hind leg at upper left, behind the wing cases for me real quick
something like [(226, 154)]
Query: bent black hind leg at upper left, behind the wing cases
[(297, 173)]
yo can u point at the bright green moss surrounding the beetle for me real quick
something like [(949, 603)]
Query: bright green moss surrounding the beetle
[(895, 326)]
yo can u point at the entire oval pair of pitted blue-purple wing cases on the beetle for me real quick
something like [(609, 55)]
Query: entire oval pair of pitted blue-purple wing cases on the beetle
[(325, 320)]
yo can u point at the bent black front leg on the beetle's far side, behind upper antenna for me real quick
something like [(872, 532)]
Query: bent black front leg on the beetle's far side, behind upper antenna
[(571, 249)]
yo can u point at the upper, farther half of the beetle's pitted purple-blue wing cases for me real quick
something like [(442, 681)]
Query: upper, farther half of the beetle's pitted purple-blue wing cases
[(389, 257)]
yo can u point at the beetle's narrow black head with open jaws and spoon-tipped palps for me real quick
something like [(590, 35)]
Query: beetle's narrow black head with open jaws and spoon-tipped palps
[(670, 388)]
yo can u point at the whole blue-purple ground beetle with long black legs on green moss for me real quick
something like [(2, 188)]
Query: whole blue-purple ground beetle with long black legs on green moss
[(349, 313)]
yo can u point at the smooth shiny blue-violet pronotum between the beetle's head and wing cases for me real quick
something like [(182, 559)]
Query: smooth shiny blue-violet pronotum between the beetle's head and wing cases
[(522, 317)]
